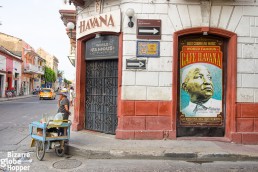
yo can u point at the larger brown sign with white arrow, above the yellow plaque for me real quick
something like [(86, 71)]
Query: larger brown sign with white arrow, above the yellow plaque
[(148, 29)]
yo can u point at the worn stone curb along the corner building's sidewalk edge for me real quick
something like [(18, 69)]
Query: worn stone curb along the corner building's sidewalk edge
[(188, 156)]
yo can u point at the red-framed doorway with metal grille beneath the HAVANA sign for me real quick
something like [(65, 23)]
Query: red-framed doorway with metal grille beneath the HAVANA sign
[(94, 105)]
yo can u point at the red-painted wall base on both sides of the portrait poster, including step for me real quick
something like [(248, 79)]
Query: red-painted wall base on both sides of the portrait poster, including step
[(160, 126)]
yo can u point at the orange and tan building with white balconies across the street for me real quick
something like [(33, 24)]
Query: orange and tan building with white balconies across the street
[(31, 65)]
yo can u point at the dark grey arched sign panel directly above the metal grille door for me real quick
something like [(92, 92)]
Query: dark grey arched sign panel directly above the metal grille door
[(104, 47)]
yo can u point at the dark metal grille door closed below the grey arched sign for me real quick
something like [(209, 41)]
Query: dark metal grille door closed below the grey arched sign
[(101, 95)]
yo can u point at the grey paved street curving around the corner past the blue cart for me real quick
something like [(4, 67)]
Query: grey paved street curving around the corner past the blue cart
[(17, 114)]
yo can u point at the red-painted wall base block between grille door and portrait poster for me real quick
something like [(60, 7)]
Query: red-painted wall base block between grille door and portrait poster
[(145, 120)]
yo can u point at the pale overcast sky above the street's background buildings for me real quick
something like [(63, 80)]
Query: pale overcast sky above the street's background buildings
[(38, 23)]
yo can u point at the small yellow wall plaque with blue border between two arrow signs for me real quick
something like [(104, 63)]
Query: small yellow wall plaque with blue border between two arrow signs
[(148, 49)]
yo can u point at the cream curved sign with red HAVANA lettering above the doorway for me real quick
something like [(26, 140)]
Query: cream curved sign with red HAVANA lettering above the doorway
[(107, 22)]
